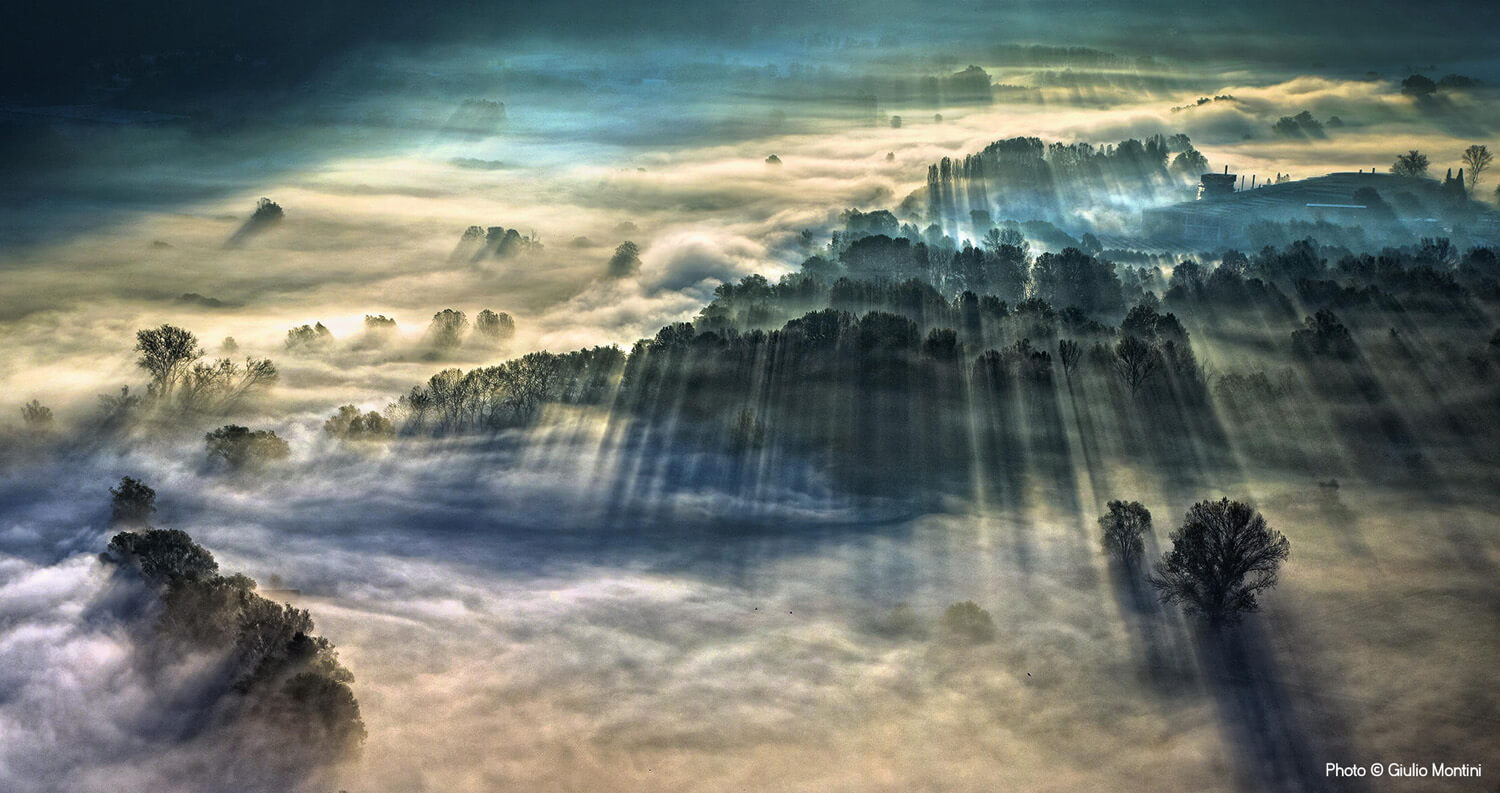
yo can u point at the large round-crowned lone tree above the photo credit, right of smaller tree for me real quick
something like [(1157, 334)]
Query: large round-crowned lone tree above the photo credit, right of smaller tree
[(1220, 561)]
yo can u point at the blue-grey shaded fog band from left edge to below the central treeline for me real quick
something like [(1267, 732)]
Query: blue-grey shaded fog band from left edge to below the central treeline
[(449, 506)]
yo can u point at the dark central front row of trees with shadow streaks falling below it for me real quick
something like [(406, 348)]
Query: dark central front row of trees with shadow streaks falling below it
[(883, 396)]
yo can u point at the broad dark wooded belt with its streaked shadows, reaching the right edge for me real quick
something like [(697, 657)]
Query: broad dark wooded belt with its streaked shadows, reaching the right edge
[(865, 365)]
